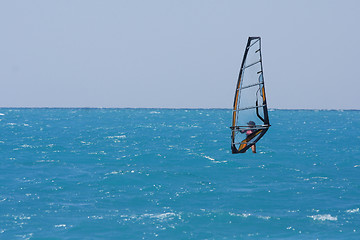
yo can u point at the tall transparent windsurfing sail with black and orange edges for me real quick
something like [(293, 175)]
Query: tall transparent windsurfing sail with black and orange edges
[(250, 114)]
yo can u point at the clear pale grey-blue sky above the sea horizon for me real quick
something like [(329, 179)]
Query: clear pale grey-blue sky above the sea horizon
[(176, 54)]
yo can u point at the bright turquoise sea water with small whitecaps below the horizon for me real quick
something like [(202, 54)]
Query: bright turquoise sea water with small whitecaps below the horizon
[(170, 174)]
